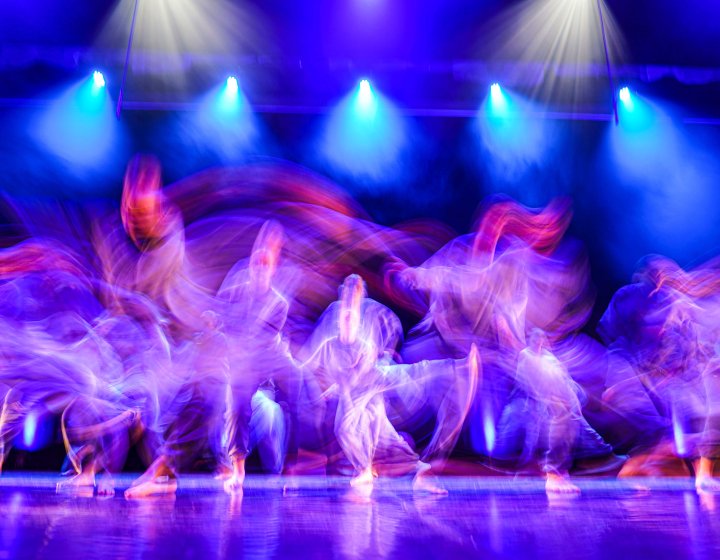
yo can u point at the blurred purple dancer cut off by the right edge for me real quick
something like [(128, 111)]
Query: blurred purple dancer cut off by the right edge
[(664, 327)]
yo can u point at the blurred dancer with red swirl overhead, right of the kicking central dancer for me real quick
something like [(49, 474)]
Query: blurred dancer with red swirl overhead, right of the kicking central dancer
[(490, 288)]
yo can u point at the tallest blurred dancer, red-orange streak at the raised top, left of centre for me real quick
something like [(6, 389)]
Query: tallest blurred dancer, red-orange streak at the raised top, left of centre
[(189, 378)]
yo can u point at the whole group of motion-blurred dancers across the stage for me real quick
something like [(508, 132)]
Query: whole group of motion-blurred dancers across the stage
[(230, 313)]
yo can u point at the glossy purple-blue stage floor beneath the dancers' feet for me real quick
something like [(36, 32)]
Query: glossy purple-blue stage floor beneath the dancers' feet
[(479, 518)]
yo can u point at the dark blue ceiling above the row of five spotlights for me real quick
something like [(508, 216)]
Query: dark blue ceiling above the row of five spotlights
[(317, 48)]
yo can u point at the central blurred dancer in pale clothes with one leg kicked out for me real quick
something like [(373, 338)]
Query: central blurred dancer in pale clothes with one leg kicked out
[(351, 357)]
